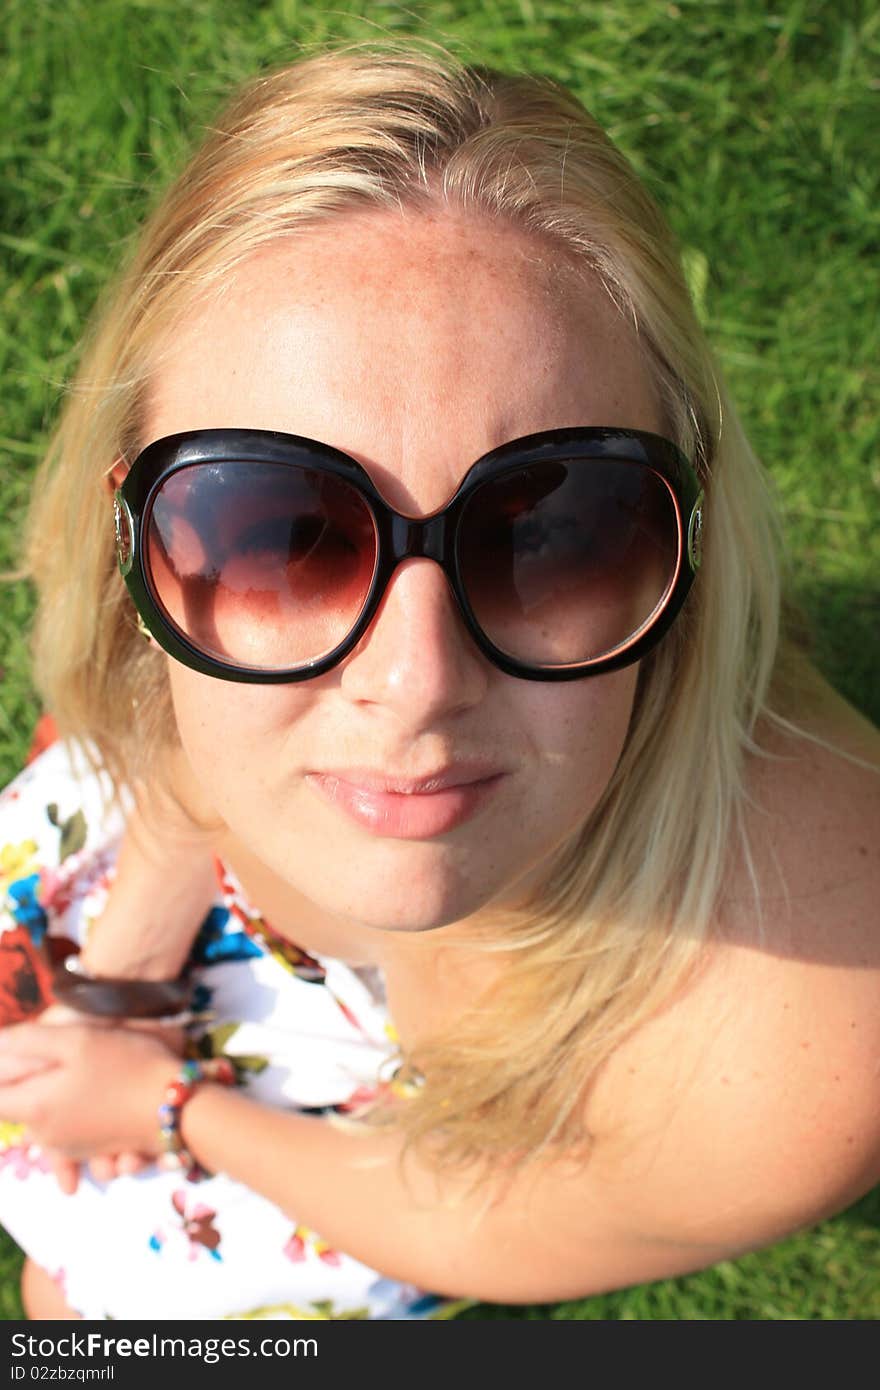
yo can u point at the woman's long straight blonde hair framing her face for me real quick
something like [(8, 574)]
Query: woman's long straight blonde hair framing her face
[(630, 901)]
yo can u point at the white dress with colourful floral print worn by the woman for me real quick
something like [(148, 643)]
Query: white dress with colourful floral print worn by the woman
[(304, 1033)]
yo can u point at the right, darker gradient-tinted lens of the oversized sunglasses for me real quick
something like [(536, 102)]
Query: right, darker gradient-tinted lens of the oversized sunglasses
[(565, 562)]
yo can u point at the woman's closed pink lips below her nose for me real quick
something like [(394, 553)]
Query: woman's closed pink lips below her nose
[(408, 808)]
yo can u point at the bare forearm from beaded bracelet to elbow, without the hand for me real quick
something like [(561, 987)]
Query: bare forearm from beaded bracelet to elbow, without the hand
[(535, 1238)]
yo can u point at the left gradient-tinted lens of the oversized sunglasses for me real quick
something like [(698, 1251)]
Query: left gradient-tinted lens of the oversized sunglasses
[(265, 565)]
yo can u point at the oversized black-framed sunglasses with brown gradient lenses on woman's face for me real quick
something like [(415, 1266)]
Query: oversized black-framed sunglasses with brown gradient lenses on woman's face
[(261, 557)]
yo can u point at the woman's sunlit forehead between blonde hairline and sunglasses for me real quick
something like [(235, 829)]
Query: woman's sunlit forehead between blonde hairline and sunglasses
[(414, 343)]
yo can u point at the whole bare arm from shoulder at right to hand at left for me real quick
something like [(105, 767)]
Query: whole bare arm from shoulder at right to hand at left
[(746, 1111)]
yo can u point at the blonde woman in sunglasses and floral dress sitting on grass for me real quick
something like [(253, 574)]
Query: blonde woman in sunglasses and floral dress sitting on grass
[(473, 686)]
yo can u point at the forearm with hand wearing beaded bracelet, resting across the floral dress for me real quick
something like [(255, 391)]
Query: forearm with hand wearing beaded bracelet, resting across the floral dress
[(541, 1238)]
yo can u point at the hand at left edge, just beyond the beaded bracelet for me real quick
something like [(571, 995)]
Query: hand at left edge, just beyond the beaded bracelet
[(85, 1092)]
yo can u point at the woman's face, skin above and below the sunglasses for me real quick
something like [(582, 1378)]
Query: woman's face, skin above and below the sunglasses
[(414, 785)]
